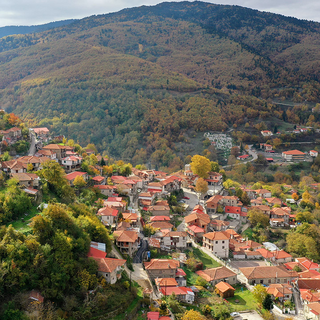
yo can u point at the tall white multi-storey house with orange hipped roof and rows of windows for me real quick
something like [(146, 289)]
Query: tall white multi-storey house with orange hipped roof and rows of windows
[(217, 242)]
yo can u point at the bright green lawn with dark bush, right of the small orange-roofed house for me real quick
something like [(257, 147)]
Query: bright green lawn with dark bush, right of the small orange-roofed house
[(245, 299)]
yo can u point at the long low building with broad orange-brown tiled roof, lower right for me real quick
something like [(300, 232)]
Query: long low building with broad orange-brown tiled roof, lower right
[(266, 275)]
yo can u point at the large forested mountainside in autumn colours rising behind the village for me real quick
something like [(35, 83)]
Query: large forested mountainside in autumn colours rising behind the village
[(139, 81)]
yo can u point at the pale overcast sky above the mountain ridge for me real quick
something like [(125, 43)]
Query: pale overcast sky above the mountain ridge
[(32, 12)]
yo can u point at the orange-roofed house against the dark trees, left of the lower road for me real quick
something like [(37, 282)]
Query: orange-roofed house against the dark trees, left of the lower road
[(110, 268)]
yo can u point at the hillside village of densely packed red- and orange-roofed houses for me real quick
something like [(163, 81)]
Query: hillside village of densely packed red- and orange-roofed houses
[(173, 240)]
